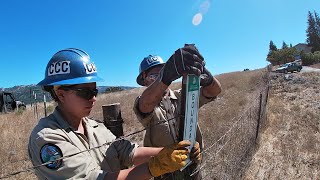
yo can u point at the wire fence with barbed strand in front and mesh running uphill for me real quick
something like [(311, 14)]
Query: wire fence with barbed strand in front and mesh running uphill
[(227, 157)]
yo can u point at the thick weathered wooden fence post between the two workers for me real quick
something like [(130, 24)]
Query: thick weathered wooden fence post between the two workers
[(112, 118)]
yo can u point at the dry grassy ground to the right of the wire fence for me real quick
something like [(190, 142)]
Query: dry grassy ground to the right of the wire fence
[(289, 146)]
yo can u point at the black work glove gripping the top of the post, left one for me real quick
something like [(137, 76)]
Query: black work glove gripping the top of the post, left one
[(186, 60)]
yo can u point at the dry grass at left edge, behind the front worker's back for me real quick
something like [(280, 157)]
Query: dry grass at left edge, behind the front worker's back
[(15, 130)]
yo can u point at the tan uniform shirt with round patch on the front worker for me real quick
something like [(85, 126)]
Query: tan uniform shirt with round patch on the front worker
[(93, 164)]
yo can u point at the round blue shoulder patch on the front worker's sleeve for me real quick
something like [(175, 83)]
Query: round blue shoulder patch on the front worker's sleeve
[(50, 152)]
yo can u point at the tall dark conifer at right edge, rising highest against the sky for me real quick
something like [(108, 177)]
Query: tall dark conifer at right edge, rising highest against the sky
[(313, 34)]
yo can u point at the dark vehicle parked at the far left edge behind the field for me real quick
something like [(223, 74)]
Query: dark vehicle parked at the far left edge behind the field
[(8, 102)]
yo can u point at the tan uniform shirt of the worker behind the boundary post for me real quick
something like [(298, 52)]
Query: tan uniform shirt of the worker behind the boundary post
[(165, 133)]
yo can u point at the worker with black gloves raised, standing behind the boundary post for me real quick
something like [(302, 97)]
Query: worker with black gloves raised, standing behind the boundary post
[(158, 107)]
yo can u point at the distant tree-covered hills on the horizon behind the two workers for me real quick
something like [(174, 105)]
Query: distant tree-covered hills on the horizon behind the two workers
[(33, 93)]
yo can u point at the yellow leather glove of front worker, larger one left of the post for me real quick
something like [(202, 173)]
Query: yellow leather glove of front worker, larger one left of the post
[(169, 159)]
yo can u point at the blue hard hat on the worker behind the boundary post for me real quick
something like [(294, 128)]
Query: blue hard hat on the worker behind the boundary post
[(146, 64)]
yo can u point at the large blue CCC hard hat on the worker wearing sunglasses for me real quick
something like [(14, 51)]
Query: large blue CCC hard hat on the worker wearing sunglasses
[(70, 66)]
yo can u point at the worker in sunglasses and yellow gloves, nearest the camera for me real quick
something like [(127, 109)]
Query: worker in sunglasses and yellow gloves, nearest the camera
[(69, 145)]
